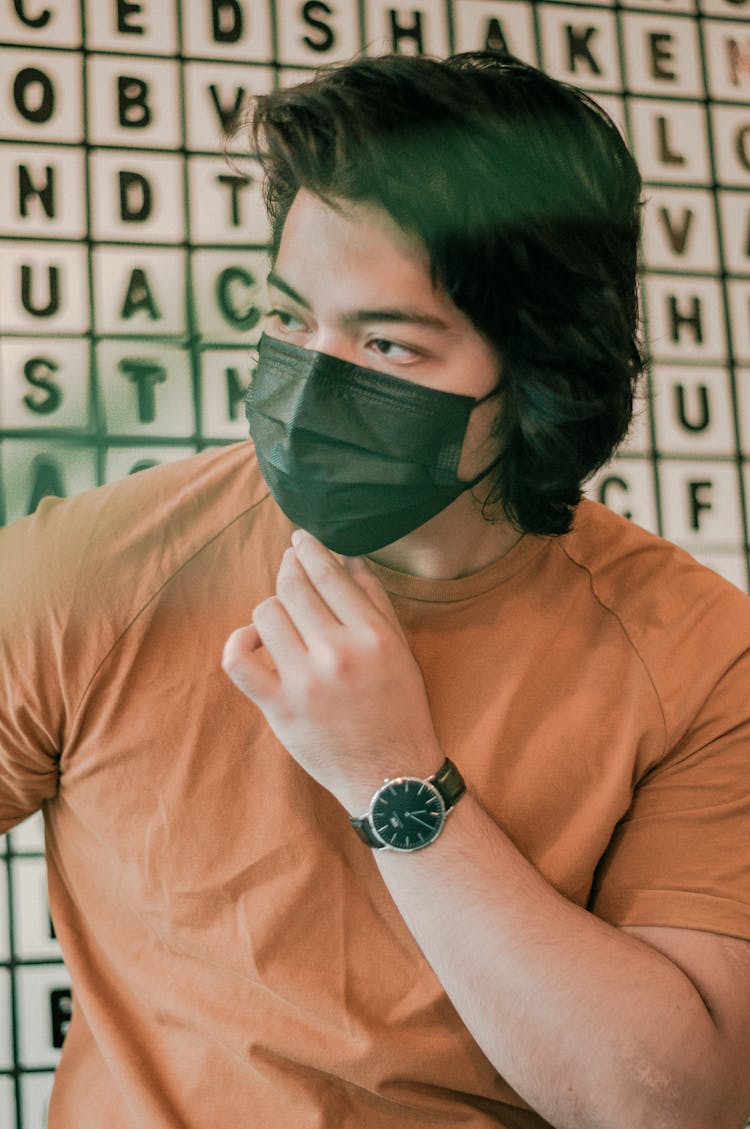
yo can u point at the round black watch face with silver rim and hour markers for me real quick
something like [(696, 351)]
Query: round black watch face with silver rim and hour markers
[(407, 813)]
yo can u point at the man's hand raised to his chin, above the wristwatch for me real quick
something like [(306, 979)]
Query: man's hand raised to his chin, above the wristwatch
[(343, 694)]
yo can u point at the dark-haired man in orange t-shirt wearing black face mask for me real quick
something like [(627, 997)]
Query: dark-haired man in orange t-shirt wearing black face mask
[(543, 917)]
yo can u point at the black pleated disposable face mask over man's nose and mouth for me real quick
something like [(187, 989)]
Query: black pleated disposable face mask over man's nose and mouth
[(356, 458)]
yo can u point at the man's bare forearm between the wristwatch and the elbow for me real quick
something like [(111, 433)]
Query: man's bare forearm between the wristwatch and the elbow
[(590, 1026)]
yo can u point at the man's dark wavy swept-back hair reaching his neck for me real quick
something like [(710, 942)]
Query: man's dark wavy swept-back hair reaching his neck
[(528, 202)]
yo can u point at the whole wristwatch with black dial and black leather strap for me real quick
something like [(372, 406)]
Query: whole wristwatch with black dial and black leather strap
[(408, 813)]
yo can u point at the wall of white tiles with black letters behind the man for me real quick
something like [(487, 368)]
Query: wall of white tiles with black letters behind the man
[(133, 267)]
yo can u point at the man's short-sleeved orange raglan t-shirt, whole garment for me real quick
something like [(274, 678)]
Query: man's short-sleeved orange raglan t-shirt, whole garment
[(237, 959)]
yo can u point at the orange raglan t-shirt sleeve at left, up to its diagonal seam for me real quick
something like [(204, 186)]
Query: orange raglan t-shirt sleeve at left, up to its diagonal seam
[(74, 576)]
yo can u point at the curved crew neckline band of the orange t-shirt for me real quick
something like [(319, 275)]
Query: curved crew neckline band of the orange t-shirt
[(465, 588)]
